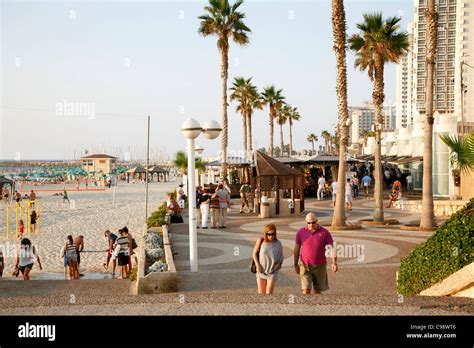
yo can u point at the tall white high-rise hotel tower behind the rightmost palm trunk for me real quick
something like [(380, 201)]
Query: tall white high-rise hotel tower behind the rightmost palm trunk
[(454, 48)]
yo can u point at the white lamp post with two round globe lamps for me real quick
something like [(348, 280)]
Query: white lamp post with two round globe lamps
[(191, 129)]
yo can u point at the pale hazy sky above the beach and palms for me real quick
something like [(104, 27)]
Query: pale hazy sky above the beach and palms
[(85, 75)]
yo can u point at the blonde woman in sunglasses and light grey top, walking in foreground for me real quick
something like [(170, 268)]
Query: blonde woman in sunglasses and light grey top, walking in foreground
[(268, 257)]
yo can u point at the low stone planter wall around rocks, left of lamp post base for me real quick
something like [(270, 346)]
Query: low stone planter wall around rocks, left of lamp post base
[(158, 282)]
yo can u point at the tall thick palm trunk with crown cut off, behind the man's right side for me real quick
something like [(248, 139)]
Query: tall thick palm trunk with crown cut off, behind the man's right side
[(339, 32)]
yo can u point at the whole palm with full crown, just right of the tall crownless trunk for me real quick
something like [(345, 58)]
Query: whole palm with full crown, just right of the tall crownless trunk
[(380, 41)]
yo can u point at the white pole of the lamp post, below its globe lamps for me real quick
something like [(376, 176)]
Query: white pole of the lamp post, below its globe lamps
[(192, 208)]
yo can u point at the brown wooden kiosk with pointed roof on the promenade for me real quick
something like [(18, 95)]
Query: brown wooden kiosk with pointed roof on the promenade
[(278, 186)]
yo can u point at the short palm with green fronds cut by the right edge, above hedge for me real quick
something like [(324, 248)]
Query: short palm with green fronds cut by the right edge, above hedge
[(461, 157)]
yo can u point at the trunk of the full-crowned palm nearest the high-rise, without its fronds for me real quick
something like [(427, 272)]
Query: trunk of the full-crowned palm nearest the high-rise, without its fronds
[(378, 97)]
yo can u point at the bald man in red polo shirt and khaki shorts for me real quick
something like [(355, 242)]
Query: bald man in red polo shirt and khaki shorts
[(310, 247)]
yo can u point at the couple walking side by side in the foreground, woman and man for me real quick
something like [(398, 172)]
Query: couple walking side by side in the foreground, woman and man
[(309, 256)]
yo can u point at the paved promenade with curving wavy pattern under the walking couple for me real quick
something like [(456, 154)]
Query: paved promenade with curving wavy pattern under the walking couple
[(364, 285)]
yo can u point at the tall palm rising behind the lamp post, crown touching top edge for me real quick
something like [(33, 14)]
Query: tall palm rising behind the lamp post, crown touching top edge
[(224, 21)]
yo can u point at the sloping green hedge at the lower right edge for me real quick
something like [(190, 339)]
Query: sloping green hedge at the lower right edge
[(447, 251)]
